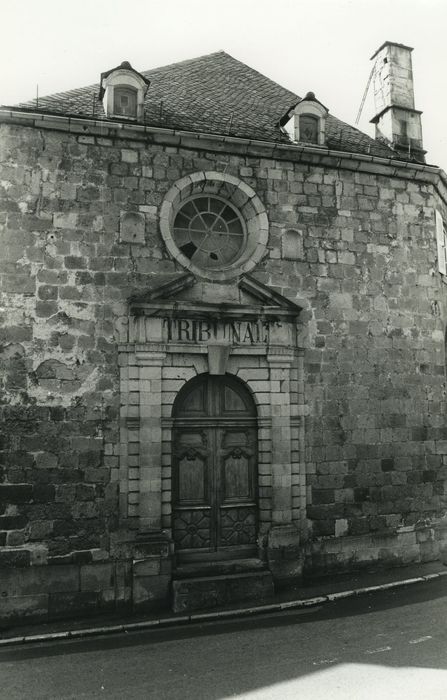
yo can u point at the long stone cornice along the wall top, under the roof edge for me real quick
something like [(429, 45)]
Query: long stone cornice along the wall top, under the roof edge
[(312, 155)]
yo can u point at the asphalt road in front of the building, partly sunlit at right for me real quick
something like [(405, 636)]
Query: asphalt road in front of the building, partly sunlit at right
[(390, 645)]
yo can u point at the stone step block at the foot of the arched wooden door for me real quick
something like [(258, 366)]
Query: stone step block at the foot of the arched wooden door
[(206, 592)]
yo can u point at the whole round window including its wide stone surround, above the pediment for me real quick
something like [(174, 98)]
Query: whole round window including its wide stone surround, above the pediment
[(214, 225)]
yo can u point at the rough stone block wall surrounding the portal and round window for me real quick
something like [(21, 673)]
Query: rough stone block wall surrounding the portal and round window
[(357, 250)]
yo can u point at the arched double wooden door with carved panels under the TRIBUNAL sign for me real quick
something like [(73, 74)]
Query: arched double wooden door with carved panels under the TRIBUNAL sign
[(215, 507)]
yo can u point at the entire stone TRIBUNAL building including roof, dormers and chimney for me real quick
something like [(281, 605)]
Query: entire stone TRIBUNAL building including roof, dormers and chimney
[(222, 347)]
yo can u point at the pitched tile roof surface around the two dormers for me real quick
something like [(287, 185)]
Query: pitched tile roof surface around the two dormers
[(213, 94)]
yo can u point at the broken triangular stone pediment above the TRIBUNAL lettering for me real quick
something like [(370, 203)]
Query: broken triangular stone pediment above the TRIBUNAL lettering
[(184, 292)]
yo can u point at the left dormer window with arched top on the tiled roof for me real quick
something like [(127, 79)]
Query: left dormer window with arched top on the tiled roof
[(123, 91)]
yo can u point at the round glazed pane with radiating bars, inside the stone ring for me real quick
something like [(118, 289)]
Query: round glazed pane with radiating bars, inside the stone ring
[(209, 231)]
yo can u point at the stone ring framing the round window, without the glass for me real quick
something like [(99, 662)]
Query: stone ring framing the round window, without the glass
[(238, 194)]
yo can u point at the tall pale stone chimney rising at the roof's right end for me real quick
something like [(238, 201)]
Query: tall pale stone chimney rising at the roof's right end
[(397, 122)]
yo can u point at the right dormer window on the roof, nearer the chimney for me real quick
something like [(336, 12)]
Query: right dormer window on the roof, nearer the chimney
[(306, 122)]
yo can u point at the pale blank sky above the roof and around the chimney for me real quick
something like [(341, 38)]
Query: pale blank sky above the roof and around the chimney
[(319, 45)]
